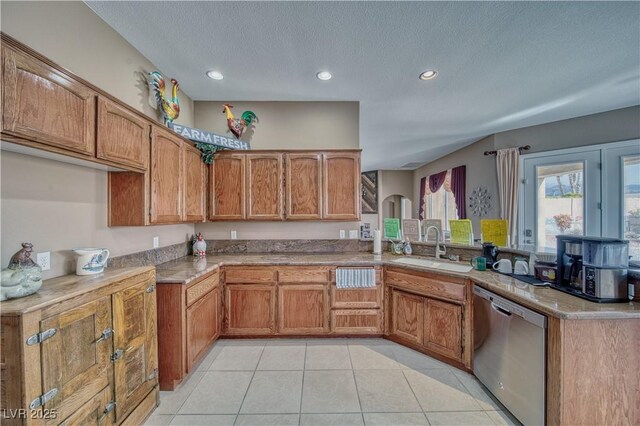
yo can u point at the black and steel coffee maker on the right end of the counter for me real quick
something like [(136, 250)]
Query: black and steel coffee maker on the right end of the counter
[(593, 268)]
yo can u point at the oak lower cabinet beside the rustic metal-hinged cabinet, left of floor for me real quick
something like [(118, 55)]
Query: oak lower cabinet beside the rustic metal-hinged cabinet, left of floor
[(189, 321)]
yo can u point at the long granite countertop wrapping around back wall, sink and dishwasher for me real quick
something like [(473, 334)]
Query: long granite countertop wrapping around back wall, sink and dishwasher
[(545, 300)]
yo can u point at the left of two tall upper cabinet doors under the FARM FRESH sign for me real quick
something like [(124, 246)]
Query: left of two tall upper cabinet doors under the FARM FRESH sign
[(166, 177)]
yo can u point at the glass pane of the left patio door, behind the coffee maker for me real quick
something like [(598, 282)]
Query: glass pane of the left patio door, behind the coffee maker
[(560, 201)]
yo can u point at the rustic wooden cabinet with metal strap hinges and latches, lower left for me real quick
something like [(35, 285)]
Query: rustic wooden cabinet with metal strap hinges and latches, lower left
[(83, 348)]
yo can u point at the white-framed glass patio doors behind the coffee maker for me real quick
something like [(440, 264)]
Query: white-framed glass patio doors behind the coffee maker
[(591, 191)]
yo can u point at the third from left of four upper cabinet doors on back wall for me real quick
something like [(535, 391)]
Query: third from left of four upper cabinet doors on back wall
[(303, 186)]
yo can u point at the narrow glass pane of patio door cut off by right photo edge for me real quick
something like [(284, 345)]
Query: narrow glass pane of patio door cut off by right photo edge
[(631, 206)]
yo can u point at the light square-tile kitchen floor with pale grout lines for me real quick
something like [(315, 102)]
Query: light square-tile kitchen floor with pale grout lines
[(326, 382)]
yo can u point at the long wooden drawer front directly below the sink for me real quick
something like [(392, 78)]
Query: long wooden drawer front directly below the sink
[(428, 286)]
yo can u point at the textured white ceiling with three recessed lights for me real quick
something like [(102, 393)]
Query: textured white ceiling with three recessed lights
[(501, 65)]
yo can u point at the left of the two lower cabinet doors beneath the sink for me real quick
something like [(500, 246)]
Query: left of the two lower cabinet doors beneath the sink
[(407, 314)]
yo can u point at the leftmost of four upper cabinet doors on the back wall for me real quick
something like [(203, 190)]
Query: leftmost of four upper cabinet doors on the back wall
[(227, 183)]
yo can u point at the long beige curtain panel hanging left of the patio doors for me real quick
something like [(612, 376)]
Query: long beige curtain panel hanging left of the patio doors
[(507, 164)]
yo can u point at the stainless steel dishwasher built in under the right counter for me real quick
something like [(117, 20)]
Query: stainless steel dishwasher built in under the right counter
[(510, 354)]
